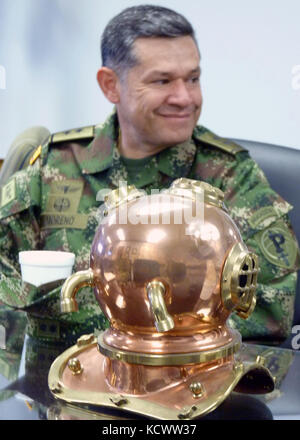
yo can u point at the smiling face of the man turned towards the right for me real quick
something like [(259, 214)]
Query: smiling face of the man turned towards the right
[(160, 98)]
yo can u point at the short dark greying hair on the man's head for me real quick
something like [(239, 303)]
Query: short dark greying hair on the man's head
[(143, 21)]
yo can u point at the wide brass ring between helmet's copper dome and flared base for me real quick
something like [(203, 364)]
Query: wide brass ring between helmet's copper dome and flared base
[(169, 359)]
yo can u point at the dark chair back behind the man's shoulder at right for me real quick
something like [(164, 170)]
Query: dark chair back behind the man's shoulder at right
[(281, 166)]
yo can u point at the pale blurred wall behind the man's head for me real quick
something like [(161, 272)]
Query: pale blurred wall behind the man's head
[(49, 56)]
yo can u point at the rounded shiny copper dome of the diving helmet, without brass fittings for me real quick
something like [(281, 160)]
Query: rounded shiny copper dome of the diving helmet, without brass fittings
[(125, 258)]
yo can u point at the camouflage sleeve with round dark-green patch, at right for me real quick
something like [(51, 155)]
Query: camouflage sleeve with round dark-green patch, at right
[(262, 217)]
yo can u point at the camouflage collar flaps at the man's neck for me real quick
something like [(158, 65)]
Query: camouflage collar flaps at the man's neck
[(102, 154)]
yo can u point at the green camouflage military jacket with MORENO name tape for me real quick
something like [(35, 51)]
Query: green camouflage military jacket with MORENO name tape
[(52, 205)]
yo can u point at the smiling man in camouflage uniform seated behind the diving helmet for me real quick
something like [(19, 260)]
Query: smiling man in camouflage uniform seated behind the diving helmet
[(151, 74)]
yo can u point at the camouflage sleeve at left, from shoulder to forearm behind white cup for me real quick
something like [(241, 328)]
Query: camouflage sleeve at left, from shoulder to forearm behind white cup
[(20, 212)]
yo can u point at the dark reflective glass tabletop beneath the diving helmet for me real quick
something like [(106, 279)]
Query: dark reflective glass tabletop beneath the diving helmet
[(24, 392)]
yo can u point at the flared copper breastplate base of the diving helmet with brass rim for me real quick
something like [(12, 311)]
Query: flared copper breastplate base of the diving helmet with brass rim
[(162, 393)]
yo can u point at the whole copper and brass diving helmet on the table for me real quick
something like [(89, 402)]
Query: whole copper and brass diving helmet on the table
[(167, 270)]
